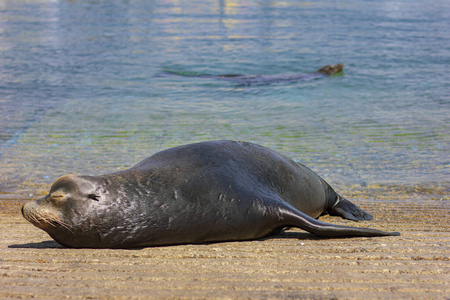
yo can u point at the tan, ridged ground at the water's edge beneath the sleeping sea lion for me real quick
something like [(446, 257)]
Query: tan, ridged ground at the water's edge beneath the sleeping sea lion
[(291, 265)]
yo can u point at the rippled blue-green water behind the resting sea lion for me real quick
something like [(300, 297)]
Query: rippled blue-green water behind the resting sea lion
[(81, 89)]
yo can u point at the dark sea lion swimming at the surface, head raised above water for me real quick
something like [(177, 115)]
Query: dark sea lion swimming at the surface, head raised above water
[(267, 79)]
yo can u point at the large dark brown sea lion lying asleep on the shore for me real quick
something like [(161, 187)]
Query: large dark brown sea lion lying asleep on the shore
[(197, 193)]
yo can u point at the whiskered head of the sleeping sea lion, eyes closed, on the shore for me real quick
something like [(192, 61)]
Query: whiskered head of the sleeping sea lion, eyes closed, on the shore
[(70, 212)]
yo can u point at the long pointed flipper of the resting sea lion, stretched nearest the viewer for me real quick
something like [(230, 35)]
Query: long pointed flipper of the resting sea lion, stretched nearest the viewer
[(294, 218)]
